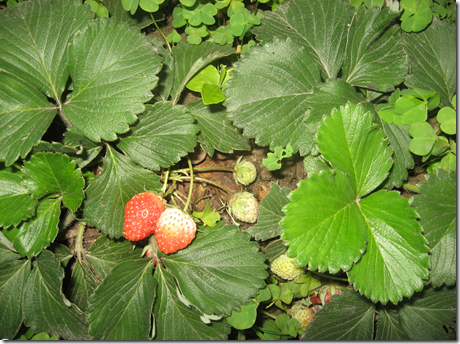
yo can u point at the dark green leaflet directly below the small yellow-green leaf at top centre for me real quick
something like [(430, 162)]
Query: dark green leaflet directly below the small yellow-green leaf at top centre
[(216, 131)]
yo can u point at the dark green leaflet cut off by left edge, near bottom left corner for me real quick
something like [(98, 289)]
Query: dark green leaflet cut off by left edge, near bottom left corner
[(13, 277)]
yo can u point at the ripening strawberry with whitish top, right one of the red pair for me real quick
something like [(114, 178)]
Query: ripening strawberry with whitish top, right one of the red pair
[(175, 231)]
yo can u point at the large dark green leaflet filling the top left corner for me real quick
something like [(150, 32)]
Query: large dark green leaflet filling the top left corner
[(35, 51)]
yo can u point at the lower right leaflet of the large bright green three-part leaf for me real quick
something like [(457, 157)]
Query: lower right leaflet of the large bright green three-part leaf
[(396, 260)]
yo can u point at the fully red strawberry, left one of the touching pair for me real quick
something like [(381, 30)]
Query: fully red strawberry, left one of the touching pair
[(141, 215)]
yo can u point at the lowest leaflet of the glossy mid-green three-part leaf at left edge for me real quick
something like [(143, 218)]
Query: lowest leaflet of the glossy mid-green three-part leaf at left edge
[(35, 234)]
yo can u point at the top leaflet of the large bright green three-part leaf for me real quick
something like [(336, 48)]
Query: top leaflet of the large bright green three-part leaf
[(349, 141)]
